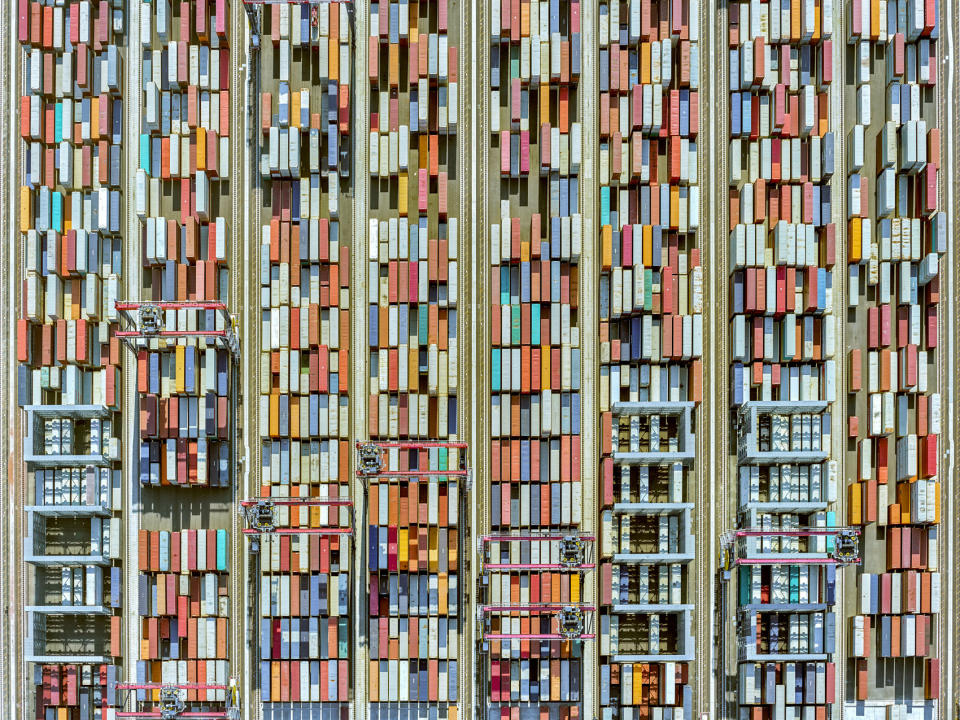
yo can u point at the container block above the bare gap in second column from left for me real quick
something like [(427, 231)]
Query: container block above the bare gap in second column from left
[(180, 190)]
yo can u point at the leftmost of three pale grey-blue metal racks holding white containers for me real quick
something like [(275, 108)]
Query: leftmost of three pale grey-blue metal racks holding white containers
[(73, 506)]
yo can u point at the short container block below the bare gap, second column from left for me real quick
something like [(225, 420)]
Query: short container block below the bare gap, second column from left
[(184, 613)]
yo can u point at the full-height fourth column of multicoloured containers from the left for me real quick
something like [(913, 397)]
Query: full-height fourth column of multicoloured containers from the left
[(414, 584)]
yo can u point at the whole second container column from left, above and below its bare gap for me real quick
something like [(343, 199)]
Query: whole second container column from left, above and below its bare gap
[(181, 194)]
